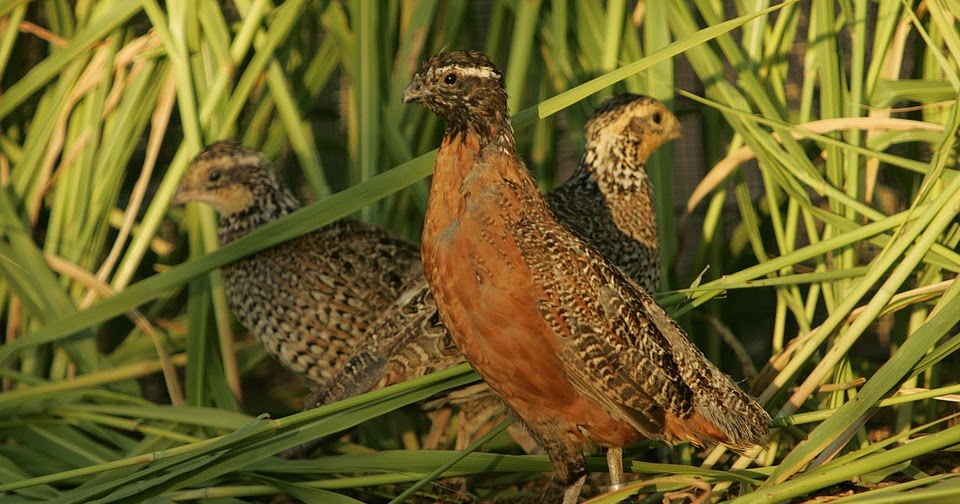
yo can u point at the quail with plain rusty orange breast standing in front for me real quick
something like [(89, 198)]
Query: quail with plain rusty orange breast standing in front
[(579, 351)]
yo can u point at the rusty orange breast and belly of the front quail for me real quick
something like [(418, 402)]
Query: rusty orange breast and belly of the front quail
[(489, 301)]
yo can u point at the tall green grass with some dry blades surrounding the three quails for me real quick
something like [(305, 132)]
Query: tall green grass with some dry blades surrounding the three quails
[(829, 209)]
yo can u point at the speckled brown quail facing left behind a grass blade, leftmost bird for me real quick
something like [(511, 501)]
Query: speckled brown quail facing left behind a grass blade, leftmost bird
[(310, 299)]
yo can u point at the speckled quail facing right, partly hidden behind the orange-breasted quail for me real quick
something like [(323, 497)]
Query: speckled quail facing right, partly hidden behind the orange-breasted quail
[(608, 201)]
